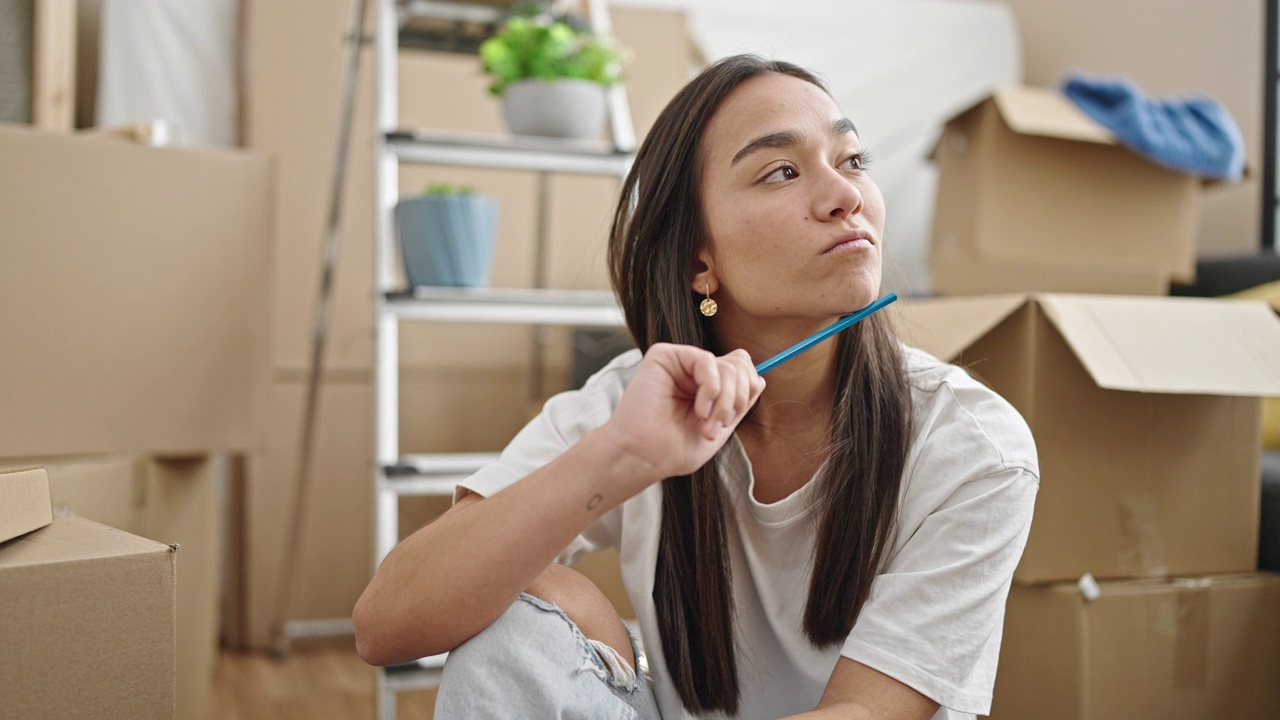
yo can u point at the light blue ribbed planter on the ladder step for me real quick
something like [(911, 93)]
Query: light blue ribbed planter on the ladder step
[(447, 240)]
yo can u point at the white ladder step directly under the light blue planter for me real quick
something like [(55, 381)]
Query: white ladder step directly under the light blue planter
[(580, 308)]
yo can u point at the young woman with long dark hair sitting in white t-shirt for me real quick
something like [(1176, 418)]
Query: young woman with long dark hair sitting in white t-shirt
[(838, 543)]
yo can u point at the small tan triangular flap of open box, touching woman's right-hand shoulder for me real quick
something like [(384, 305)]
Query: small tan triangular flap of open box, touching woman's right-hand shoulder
[(945, 326)]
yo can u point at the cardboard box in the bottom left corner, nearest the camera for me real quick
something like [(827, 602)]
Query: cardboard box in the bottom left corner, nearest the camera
[(89, 623)]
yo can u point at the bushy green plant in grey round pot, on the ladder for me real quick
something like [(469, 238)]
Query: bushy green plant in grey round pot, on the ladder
[(551, 74)]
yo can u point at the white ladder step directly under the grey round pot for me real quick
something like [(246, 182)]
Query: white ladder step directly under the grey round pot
[(509, 153)]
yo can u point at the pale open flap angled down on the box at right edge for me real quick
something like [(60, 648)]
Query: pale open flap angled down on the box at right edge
[(1172, 345)]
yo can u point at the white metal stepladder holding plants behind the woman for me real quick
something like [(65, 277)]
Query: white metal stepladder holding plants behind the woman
[(428, 25)]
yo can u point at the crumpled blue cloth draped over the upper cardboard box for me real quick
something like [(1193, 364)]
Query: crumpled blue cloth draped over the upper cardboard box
[(1195, 136)]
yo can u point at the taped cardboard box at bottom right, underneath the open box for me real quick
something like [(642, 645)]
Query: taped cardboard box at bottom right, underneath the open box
[(1201, 649)]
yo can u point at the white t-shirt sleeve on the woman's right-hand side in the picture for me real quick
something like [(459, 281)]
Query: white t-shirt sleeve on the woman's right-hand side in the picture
[(935, 616)]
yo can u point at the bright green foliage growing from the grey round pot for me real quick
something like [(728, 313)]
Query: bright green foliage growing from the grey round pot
[(548, 48)]
